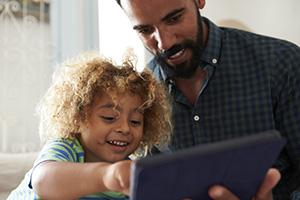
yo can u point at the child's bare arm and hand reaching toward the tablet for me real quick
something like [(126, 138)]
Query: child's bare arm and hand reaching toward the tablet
[(66, 180)]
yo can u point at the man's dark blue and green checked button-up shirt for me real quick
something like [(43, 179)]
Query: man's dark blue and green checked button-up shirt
[(252, 85)]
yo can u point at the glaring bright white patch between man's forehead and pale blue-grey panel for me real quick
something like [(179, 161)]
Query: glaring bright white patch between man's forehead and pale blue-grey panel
[(116, 33)]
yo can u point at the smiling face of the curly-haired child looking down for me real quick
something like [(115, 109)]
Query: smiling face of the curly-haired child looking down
[(113, 134)]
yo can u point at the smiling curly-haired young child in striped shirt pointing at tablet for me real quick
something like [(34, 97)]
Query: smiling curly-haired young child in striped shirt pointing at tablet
[(94, 116)]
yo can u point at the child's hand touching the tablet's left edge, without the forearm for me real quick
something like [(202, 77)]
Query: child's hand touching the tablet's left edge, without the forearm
[(117, 177)]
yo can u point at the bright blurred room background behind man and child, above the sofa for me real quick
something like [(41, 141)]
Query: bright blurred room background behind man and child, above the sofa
[(35, 35)]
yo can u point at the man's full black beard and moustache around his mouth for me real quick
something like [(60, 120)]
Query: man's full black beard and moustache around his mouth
[(186, 69)]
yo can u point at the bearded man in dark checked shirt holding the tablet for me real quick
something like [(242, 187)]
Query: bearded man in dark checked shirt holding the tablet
[(225, 82)]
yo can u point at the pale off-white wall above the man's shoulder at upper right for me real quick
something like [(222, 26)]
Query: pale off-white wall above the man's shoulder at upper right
[(269, 17)]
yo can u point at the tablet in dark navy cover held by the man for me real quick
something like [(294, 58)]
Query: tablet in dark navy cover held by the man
[(239, 164)]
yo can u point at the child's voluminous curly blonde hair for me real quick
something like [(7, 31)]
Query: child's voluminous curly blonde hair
[(66, 106)]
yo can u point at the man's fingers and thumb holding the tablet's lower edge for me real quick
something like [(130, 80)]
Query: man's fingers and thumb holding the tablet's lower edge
[(264, 192)]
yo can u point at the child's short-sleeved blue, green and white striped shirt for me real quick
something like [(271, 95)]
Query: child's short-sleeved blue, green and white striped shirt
[(62, 150)]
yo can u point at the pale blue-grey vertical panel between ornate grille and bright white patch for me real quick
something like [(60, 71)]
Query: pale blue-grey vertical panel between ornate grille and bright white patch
[(74, 27)]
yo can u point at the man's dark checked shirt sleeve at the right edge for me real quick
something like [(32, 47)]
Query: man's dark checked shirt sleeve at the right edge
[(287, 109)]
